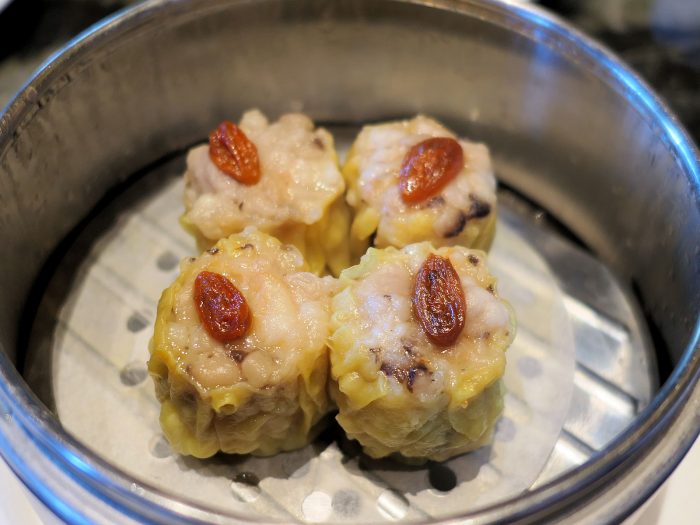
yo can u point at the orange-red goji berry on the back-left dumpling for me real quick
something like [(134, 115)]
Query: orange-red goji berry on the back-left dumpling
[(234, 154)]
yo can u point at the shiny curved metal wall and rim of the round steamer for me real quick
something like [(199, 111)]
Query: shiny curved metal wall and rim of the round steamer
[(569, 128)]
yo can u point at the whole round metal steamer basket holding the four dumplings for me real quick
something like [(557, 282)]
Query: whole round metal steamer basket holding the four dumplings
[(598, 249)]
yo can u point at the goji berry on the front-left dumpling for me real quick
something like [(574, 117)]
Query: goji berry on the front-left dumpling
[(222, 308)]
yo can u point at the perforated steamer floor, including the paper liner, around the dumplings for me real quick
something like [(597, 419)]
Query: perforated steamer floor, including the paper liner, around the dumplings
[(578, 372)]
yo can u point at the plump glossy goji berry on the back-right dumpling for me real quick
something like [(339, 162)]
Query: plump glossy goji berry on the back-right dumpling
[(428, 167)]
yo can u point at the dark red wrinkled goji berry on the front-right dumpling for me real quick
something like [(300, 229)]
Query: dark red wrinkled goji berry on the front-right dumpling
[(438, 300)]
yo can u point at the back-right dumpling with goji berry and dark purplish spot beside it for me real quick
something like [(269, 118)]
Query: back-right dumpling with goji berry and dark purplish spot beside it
[(414, 180)]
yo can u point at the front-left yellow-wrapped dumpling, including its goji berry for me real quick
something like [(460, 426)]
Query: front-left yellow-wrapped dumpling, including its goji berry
[(239, 355)]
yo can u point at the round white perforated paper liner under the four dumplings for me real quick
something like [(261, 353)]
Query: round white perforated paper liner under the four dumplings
[(104, 398)]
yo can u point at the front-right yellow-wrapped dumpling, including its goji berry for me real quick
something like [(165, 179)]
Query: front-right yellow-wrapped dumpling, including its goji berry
[(417, 351)]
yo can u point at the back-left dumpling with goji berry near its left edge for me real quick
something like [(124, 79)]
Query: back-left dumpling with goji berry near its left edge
[(281, 177)]
